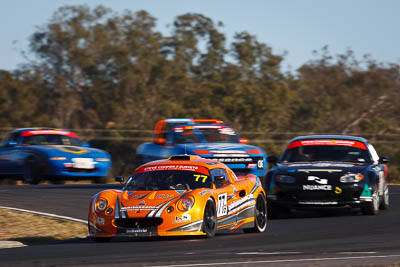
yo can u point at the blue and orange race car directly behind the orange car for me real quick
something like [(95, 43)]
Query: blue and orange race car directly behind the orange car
[(208, 139)]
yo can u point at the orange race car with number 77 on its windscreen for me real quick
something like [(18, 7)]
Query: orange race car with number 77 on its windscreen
[(183, 195)]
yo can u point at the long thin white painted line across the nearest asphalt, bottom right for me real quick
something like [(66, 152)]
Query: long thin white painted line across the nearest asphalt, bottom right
[(278, 261)]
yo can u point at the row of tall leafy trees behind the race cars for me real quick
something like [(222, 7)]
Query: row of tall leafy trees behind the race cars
[(94, 68)]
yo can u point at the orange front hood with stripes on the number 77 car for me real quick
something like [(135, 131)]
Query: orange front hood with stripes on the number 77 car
[(145, 203)]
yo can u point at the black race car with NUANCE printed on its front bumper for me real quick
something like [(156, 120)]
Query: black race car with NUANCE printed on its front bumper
[(328, 171)]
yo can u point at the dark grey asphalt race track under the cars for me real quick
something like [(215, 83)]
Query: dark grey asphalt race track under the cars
[(303, 239)]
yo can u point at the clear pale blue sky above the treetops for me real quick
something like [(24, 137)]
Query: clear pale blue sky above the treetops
[(294, 27)]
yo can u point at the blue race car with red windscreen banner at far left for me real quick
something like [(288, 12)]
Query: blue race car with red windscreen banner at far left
[(35, 154)]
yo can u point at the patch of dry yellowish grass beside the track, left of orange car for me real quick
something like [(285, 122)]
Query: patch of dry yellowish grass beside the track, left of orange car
[(34, 229)]
